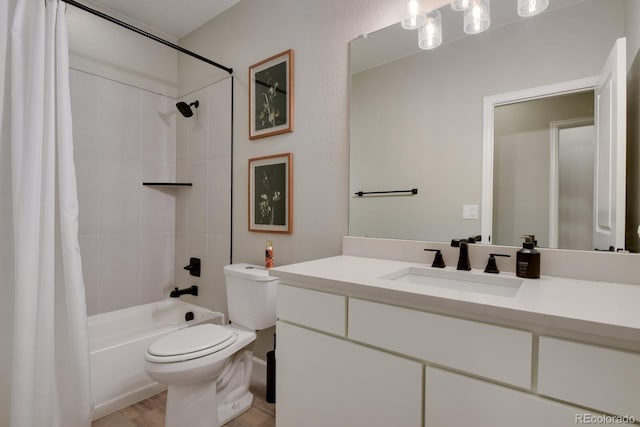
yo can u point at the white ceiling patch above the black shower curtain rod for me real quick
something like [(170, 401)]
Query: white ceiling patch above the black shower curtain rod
[(175, 18)]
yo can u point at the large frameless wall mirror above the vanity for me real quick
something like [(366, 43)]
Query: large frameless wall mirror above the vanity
[(419, 120)]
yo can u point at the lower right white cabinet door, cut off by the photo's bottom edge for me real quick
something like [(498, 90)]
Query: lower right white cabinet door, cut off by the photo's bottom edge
[(453, 400)]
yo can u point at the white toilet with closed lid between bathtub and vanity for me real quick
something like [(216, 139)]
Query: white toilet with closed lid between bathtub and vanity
[(207, 368)]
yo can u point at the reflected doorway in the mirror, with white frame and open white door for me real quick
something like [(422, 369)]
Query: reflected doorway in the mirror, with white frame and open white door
[(527, 183)]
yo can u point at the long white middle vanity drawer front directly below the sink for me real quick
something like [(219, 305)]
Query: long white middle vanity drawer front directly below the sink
[(489, 351)]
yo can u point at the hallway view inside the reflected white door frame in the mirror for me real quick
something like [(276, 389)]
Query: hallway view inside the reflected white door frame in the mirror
[(526, 188)]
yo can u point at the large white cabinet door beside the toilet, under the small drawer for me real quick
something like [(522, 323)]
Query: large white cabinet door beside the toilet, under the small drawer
[(325, 381)]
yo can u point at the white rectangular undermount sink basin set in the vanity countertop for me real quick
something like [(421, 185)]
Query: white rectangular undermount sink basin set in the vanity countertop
[(457, 280)]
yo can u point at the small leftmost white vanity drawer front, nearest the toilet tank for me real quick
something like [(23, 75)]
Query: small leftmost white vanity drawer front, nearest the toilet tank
[(318, 310)]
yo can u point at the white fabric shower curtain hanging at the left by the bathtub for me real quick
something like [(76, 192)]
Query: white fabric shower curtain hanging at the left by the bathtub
[(45, 366)]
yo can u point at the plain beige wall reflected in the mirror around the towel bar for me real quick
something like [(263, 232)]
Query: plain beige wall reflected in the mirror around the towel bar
[(417, 121)]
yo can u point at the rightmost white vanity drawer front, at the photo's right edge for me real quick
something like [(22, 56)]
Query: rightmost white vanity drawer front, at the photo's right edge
[(596, 377)]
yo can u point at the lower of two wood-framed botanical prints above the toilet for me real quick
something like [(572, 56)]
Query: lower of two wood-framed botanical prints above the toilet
[(270, 194)]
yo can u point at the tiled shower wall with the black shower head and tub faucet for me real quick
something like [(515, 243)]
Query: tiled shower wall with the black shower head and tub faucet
[(203, 213)]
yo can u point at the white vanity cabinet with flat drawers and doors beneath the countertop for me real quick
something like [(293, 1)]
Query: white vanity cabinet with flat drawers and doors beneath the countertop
[(352, 354)]
